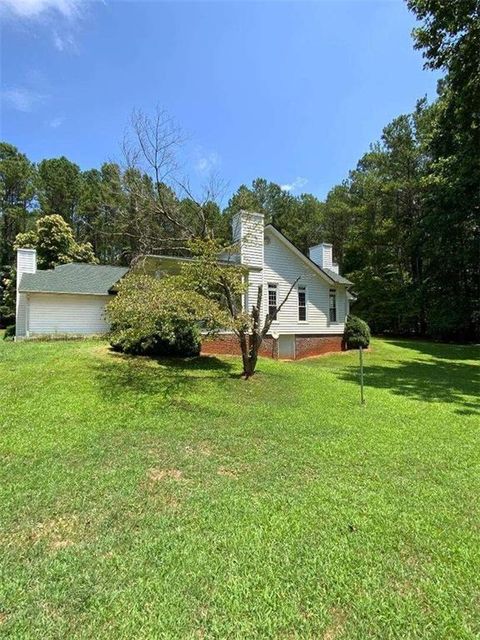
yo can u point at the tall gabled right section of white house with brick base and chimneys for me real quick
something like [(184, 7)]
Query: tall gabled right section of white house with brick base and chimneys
[(312, 321)]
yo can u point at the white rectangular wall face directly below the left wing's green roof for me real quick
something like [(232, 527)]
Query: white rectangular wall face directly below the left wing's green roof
[(61, 313)]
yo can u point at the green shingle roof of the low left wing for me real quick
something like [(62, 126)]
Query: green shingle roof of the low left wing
[(74, 277)]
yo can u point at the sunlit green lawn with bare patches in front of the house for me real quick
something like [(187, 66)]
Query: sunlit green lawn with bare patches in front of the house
[(141, 499)]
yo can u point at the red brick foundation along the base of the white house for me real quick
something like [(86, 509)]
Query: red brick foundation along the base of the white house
[(305, 346)]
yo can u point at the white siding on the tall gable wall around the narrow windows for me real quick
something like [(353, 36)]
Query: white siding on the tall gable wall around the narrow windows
[(283, 267)]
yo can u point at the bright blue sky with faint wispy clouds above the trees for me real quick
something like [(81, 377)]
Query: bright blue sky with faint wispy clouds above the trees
[(291, 91)]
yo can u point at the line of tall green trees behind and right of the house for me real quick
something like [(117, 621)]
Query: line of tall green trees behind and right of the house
[(404, 224)]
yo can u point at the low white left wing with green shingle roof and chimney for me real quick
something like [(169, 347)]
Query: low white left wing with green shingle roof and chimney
[(67, 300)]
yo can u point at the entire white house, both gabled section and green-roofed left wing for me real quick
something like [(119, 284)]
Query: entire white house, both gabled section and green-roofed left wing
[(71, 298)]
